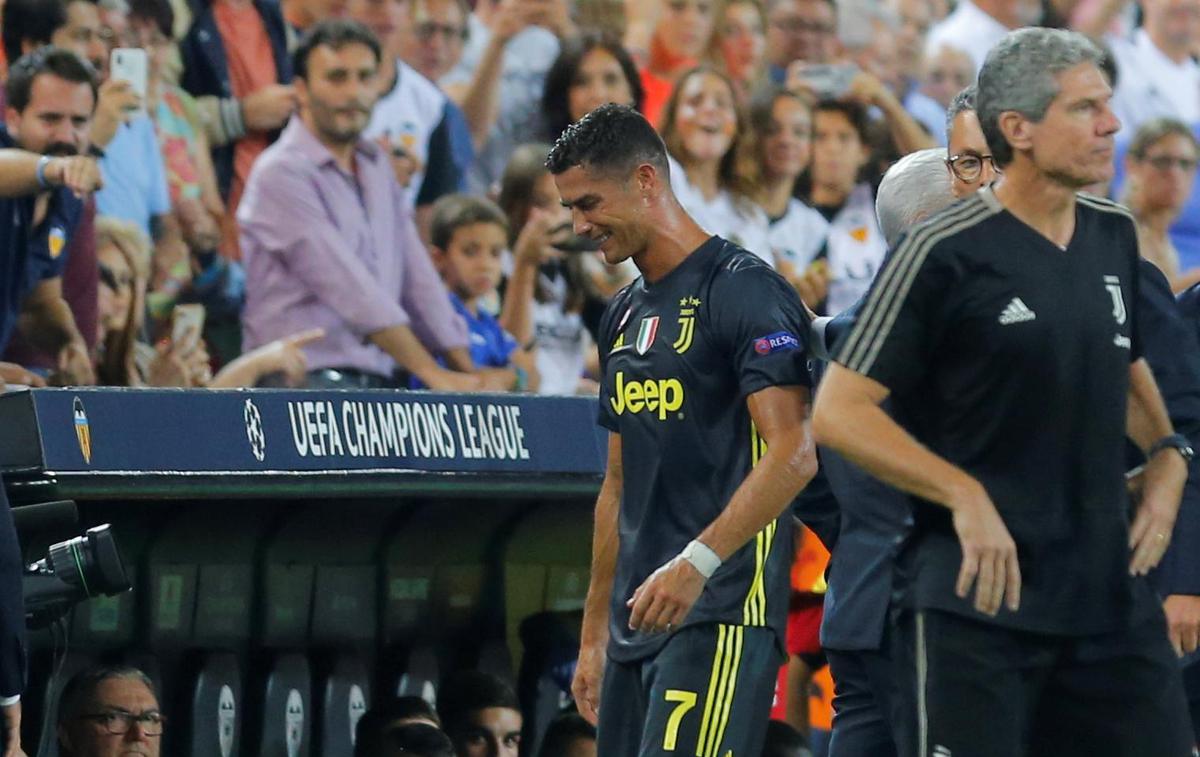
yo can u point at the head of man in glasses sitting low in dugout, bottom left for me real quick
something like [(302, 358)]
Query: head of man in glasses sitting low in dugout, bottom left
[(106, 712)]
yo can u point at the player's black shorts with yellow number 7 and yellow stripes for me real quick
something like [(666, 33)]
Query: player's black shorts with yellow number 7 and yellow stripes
[(707, 693)]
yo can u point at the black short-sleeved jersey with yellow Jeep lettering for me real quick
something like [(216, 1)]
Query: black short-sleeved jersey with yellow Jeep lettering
[(679, 361)]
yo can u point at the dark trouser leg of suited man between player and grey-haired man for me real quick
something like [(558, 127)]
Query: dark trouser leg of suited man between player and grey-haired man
[(862, 702)]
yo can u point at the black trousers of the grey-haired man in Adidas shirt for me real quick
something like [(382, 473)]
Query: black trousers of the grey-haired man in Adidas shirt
[(982, 690)]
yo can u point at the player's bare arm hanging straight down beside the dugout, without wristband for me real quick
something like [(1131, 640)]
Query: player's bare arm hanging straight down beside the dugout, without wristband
[(595, 638)]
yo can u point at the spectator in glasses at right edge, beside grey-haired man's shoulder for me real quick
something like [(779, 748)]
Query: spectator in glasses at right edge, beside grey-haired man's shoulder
[(1161, 167)]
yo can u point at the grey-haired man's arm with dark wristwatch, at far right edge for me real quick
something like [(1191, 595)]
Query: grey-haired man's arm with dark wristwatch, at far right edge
[(1166, 474)]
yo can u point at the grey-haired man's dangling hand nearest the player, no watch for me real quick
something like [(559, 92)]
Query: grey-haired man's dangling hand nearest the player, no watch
[(989, 555)]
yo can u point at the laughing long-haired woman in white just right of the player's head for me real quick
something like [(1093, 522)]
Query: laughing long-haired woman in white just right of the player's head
[(712, 155)]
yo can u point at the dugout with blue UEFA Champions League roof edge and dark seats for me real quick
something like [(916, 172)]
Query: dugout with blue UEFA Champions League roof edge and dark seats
[(295, 554)]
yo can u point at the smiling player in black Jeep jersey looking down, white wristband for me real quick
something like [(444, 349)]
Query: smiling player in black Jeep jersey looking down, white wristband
[(706, 392)]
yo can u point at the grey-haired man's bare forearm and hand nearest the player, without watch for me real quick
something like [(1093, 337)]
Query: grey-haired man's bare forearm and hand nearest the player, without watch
[(849, 419)]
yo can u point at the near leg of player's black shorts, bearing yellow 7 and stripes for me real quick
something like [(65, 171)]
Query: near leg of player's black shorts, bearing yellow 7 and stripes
[(711, 690)]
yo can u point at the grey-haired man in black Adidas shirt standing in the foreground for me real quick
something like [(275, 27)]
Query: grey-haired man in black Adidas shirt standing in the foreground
[(1005, 328)]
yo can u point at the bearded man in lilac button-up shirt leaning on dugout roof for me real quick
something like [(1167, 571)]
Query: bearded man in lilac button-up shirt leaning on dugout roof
[(329, 242)]
